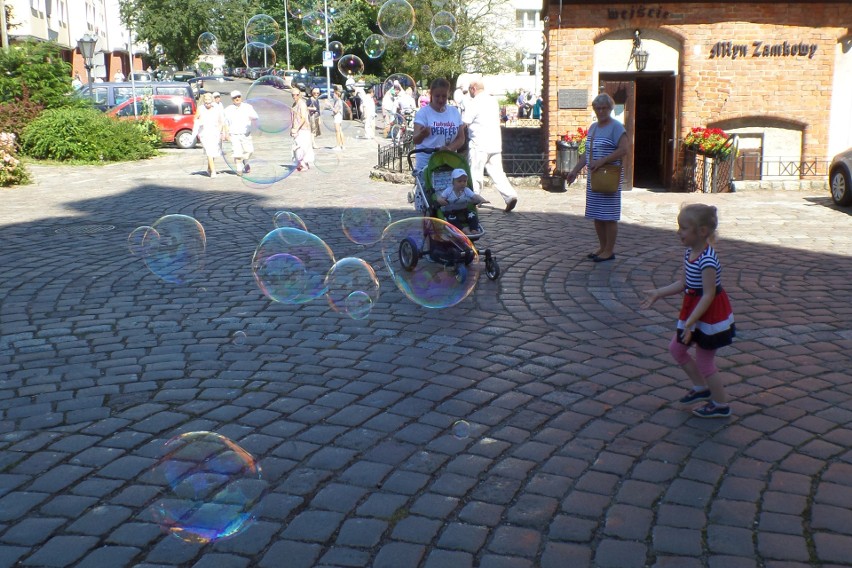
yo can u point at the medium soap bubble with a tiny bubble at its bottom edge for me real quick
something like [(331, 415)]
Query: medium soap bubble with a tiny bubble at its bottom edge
[(353, 287)]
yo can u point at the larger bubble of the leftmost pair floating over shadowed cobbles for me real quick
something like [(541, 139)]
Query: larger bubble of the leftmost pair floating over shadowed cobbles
[(174, 249)]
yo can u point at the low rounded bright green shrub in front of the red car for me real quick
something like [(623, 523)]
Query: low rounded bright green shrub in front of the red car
[(86, 135)]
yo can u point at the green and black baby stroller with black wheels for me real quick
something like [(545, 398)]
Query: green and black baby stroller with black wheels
[(437, 174)]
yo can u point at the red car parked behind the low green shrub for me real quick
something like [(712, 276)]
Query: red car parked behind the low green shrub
[(173, 114)]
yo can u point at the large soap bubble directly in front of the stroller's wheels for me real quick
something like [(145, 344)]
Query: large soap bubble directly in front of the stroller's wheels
[(432, 262)]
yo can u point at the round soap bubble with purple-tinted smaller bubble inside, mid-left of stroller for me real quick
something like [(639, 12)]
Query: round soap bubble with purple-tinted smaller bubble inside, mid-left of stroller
[(290, 266)]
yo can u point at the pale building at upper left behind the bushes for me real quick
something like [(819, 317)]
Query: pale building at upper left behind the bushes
[(66, 21)]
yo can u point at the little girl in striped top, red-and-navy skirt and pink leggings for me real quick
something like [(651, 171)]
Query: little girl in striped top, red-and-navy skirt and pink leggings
[(706, 318)]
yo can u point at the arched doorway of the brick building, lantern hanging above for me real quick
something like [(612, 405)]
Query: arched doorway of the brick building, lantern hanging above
[(646, 101)]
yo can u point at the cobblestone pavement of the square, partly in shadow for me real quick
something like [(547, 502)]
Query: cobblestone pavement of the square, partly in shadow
[(578, 453)]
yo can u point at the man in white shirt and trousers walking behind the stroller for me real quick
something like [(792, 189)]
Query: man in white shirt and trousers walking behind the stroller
[(482, 117)]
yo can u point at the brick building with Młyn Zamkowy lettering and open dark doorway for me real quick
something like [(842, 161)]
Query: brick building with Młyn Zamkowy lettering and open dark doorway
[(778, 74)]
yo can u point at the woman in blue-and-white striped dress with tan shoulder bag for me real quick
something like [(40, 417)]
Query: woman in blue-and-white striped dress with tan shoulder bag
[(606, 143)]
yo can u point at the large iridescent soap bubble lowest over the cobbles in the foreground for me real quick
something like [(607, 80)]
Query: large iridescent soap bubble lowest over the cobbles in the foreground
[(212, 488)]
